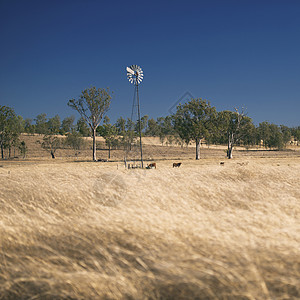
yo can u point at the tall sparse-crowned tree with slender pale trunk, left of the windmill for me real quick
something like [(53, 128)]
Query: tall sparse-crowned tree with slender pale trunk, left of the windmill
[(92, 105)]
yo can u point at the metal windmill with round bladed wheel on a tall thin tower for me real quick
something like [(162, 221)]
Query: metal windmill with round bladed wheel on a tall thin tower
[(135, 76)]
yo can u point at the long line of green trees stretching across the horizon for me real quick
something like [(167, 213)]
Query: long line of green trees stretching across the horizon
[(194, 121)]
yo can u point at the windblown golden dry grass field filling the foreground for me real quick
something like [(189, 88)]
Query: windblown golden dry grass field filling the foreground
[(84, 230)]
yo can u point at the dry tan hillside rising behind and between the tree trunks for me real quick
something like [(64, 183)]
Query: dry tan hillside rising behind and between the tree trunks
[(153, 149)]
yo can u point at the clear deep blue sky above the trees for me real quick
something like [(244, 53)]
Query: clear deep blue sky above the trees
[(233, 53)]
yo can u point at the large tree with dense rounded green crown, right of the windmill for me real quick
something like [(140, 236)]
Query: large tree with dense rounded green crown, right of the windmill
[(195, 120)]
